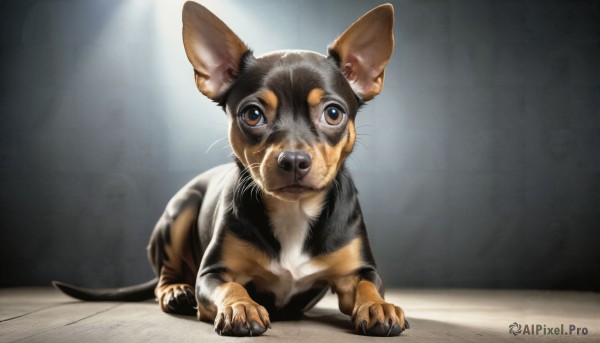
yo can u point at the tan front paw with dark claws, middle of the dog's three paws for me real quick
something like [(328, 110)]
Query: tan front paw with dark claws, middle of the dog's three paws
[(242, 318)]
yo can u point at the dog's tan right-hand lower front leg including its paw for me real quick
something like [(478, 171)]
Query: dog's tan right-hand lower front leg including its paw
[(361, 296)]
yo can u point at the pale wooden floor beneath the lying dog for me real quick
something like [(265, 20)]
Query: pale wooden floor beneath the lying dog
[(45, 315)]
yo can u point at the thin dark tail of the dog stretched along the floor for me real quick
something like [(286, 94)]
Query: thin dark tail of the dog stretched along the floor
[(139, 292)]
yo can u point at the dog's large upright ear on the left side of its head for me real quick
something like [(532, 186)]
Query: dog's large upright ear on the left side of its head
[(212, 48)]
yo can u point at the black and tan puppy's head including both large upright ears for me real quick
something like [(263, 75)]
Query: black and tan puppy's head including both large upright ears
[(291, 113)]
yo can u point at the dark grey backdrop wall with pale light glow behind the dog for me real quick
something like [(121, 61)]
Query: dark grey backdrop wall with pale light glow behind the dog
[(478, 165)]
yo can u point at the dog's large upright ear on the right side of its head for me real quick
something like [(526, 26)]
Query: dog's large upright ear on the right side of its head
[(364, 49)]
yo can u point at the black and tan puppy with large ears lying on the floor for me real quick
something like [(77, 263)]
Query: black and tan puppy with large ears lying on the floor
[(267, 235)]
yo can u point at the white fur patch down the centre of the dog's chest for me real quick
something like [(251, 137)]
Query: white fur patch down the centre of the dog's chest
[(291, 225)]
